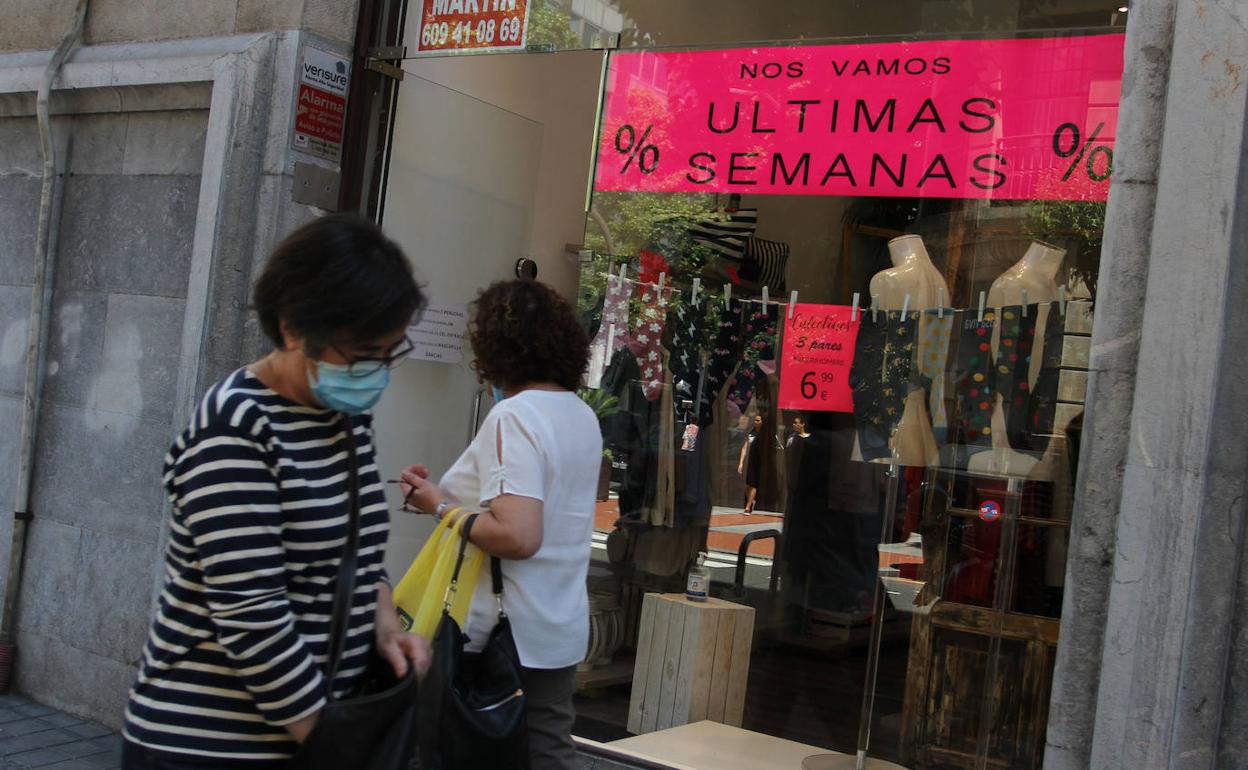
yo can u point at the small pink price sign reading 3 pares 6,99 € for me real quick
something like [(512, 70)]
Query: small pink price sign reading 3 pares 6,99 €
[(817, 358)]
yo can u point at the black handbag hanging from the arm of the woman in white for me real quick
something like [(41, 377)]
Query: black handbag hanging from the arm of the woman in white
[(472, 704)]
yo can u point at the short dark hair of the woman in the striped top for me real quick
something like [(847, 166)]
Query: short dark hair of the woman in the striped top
[(338, 279)]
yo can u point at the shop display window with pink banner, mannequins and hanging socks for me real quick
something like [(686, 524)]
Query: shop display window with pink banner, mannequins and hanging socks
[(864, 409)]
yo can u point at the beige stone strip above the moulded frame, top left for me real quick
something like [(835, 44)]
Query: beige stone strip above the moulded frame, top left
[(39, 24)]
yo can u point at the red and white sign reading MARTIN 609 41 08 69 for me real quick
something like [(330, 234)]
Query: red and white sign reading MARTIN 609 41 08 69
[(472, 26)]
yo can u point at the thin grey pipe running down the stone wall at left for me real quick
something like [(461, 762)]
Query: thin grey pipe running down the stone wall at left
[(37, 340)]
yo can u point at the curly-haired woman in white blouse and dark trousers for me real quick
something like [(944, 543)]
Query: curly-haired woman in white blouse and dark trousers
[(532, 474)]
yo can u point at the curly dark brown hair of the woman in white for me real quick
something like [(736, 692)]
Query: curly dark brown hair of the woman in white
[(524, 333)]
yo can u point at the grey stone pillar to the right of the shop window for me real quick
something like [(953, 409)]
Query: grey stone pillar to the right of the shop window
[(1151, 666)]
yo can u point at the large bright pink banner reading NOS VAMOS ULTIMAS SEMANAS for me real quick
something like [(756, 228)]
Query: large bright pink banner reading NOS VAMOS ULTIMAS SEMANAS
[(983, 119)]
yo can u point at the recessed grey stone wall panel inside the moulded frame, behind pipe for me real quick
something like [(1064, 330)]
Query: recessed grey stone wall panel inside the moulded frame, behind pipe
[(130, 195)]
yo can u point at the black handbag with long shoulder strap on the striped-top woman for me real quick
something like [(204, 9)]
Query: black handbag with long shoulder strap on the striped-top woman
[(376, 729)]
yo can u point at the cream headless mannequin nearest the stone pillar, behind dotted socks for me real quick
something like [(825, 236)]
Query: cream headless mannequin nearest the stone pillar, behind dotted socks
[(1036, 275)]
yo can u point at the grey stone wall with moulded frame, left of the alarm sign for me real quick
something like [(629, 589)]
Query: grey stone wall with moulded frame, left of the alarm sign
[(174, 193)]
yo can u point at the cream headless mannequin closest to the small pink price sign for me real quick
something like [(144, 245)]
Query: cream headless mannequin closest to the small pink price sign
[(913, 274)]
